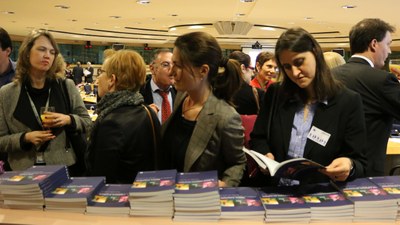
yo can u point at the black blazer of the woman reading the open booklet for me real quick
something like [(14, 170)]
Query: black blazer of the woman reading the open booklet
[(342, 118)]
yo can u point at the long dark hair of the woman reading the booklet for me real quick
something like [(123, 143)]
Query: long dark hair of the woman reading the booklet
[(299, 40)]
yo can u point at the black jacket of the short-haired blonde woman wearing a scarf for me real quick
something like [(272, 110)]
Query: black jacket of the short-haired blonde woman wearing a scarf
[(122, 145)]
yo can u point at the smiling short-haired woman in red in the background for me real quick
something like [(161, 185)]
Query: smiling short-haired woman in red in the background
[(266, 71)]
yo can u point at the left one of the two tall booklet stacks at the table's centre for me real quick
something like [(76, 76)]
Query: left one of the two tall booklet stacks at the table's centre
[(151, 193)]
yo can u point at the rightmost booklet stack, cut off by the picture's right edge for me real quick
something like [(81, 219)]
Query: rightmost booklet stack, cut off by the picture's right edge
[(391, 184)]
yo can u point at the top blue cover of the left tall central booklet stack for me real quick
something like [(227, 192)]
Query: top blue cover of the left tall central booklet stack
[(150, 181)]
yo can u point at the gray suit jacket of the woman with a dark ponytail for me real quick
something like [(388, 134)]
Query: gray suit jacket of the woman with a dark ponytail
[(216, 142)]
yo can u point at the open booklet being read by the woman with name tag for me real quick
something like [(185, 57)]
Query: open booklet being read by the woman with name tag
[(292, 168)]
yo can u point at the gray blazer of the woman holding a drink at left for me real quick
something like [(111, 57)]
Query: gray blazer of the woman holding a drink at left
[(11, 129)]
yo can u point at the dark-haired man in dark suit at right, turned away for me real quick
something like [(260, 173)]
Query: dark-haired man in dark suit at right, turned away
[(370, 46)]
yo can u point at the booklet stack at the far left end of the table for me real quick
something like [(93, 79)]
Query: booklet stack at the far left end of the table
[(26, 189)]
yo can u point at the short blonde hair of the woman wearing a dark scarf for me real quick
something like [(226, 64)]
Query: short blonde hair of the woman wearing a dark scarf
[(129, 69)]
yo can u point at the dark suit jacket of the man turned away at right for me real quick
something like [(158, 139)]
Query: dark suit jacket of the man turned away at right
[(380, 93)]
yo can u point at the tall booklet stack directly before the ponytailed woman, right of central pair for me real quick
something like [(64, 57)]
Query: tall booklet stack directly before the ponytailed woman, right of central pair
[(196, 197)]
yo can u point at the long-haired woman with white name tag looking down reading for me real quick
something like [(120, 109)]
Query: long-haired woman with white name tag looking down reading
[(308, 98)]
